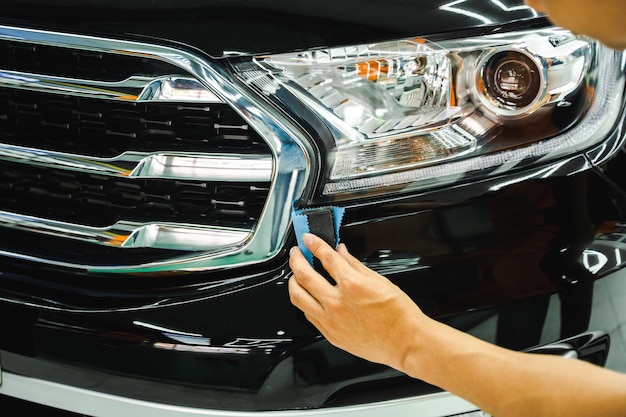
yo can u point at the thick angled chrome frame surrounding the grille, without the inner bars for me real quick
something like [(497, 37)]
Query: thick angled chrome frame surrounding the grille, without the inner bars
[(292, 152)]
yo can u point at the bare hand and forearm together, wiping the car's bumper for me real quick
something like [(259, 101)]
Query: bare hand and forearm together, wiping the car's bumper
[(368, 316)]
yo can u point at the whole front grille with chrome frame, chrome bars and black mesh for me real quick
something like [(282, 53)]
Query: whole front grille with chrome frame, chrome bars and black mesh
[(132, 146)]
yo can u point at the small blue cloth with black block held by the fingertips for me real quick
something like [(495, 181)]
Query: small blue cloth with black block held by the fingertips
[(324, 222)]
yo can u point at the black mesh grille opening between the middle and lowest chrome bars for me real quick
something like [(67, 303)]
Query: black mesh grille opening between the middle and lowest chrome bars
[(99, 200)]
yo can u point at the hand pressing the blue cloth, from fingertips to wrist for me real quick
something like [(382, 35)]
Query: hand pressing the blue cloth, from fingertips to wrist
[(364, 313)]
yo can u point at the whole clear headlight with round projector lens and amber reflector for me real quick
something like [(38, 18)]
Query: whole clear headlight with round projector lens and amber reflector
[(413, 113)]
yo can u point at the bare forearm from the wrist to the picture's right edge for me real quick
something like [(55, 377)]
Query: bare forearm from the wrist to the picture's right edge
[(507, 383)]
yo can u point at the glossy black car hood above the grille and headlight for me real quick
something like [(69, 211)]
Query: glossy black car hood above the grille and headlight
[(244, 27)]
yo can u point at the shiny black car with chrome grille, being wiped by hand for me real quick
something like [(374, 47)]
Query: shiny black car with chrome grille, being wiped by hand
[(152, 153)]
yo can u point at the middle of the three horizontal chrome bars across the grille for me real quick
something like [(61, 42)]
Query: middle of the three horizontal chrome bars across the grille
[(183, 166)]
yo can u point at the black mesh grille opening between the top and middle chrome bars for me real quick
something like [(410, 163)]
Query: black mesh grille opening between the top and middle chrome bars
[(107, 128)]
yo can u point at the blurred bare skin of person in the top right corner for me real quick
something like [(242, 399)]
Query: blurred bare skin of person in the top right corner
[(599, 19)]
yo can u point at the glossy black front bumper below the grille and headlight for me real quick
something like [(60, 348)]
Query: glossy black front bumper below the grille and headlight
[(496, 254)]
